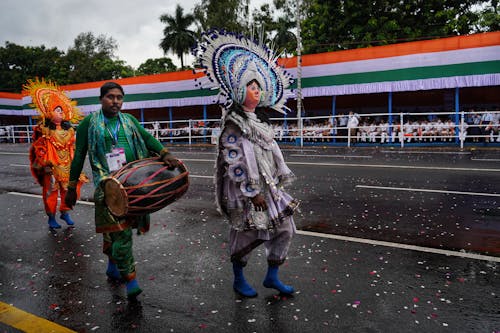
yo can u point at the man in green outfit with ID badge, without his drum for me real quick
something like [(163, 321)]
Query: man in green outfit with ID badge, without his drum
[(112, 138)]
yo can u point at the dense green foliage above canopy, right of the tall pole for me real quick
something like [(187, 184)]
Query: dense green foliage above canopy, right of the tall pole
[(335, 25)]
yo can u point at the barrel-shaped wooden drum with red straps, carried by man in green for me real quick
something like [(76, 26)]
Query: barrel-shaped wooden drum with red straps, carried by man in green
[(144, 186)]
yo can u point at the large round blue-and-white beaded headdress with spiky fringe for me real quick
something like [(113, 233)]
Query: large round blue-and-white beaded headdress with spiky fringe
[(231, 61)]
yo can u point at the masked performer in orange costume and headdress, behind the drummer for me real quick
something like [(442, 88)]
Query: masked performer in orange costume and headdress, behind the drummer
[(53, 146)]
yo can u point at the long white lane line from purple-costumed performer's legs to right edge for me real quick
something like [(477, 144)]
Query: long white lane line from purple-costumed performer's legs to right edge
[(402, 246)]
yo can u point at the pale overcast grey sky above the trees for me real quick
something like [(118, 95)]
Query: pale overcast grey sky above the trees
[(134, 24)]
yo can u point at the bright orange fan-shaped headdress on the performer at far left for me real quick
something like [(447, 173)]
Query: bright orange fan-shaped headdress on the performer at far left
[(46, 96)]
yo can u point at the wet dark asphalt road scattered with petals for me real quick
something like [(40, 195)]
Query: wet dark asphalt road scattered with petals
[(389, 240)]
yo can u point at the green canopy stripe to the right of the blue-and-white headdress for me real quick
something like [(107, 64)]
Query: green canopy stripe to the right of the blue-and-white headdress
[(417, 73)]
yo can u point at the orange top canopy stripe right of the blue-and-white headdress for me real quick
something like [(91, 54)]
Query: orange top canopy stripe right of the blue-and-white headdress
[(435, 45)]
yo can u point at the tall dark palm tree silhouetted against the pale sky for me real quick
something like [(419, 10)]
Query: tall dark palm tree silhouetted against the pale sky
[(176, 36)]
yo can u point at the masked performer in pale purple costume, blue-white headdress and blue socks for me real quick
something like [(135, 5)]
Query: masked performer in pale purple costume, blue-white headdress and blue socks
[(250, 169)]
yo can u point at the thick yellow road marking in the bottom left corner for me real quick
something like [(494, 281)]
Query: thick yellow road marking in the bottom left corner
[(27, 322)]
